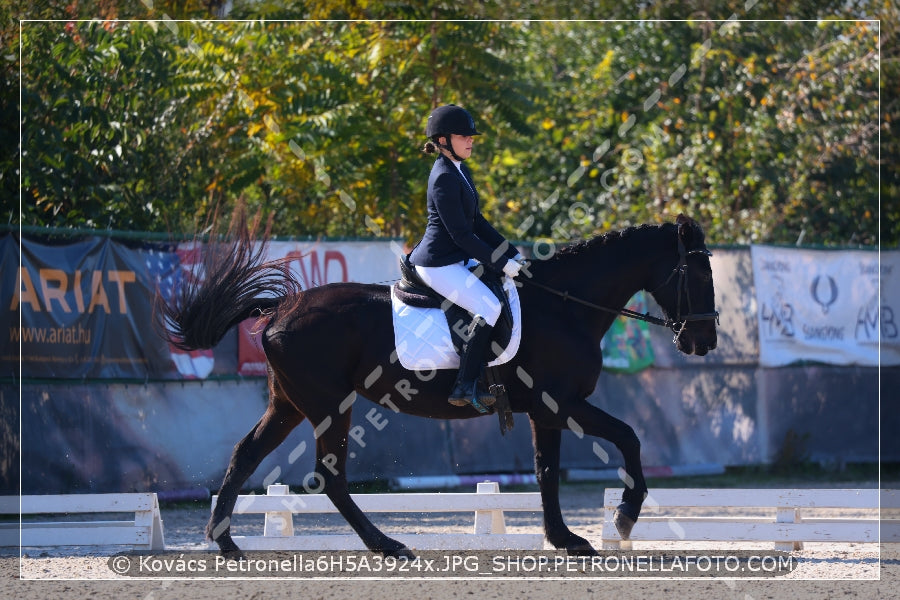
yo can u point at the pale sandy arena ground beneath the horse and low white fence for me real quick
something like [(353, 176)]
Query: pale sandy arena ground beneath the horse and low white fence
[(819, 570)]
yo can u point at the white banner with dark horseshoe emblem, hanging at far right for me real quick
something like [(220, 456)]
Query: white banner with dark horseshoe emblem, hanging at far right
[(825, 306)]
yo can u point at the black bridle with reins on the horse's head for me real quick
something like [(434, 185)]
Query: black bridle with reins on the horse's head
[(677, 323)]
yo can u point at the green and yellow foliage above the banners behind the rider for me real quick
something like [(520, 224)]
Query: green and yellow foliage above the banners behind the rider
[(765, 131)]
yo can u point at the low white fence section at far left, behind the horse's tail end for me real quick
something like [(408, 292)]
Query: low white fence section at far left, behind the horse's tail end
[(143, 532)]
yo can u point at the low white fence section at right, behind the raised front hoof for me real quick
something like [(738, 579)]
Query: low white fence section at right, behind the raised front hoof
[(791, 516)]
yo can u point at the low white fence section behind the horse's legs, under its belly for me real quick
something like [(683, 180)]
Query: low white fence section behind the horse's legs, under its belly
[(487, 504)]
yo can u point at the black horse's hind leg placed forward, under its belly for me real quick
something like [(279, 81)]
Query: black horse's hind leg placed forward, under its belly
[(331, 460)]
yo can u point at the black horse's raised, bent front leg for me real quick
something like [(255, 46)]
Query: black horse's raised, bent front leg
[(598, 423)]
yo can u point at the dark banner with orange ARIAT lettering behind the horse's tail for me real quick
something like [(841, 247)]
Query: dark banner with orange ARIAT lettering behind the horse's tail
[(82, 310)]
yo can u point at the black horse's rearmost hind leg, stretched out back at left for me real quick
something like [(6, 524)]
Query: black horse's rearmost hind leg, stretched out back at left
[(276, 423)]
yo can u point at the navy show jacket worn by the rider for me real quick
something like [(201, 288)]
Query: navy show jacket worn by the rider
[(456, 229)]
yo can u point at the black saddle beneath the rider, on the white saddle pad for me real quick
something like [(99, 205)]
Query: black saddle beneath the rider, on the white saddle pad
[(413, 291)]
